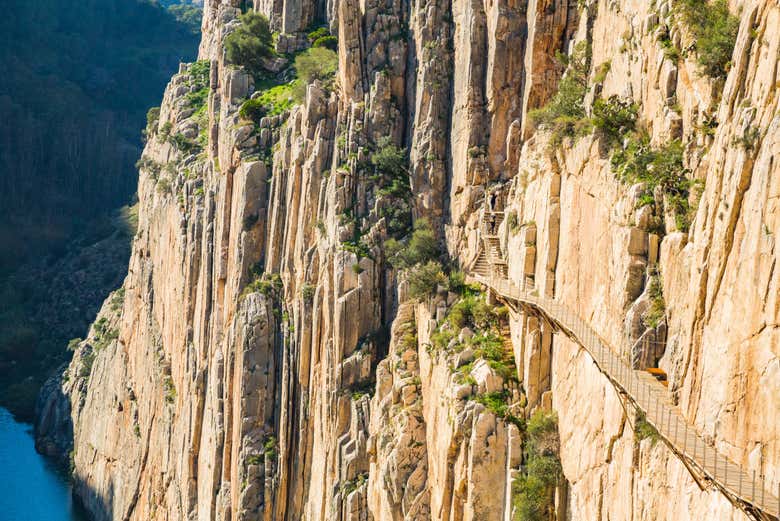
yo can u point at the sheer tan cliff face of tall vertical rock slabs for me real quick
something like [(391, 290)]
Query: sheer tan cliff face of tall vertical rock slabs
[(312, 392)]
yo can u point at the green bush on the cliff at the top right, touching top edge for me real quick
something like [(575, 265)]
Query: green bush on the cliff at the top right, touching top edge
[(714, 30)]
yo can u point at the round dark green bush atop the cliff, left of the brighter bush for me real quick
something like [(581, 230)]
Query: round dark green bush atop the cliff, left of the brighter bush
[(251, 43)]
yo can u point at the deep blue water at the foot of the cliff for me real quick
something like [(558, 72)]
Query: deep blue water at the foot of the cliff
[(31, 488)]
